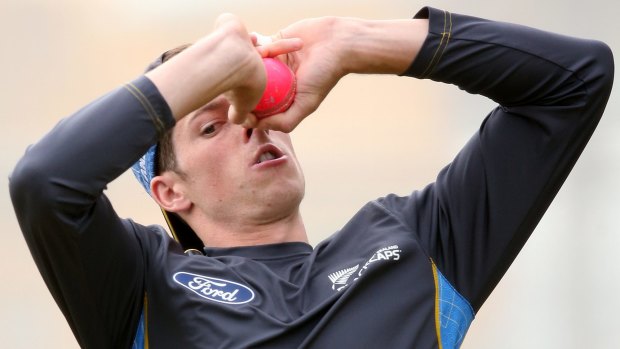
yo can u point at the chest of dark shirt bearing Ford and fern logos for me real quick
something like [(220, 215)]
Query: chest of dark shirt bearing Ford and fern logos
[(351, 295)]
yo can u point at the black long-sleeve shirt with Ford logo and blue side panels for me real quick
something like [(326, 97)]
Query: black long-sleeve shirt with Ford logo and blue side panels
[(403, 272)]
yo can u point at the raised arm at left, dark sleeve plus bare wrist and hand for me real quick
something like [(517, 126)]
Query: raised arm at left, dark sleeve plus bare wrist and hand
[(91, 260)]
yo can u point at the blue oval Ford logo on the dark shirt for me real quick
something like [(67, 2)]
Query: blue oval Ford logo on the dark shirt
[(217, 290)]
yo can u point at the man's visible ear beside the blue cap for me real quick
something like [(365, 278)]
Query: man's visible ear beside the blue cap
[(165, 189)]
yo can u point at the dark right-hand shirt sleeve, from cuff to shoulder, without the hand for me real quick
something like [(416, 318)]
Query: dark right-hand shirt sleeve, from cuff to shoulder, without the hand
[(552, 91)]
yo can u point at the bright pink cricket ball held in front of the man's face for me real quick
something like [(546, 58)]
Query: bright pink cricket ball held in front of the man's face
[(280, 90)]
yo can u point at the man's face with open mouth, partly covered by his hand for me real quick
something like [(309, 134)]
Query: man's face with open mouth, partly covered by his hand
[(232, 174)]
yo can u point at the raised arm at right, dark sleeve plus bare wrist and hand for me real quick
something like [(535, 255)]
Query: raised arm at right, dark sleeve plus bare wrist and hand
[(551, 91)]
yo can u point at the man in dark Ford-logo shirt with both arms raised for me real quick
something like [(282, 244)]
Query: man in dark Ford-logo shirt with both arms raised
[(404, 272)]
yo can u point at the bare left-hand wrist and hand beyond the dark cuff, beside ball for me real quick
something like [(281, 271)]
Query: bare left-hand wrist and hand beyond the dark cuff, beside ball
[(222, 61)]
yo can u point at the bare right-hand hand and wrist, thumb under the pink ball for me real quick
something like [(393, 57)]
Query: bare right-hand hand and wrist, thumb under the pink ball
[(334, 47)]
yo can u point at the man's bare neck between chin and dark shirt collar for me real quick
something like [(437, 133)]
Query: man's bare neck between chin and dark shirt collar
[(251, 232)]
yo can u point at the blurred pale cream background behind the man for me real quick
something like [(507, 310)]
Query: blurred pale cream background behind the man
[(373, 135)]
